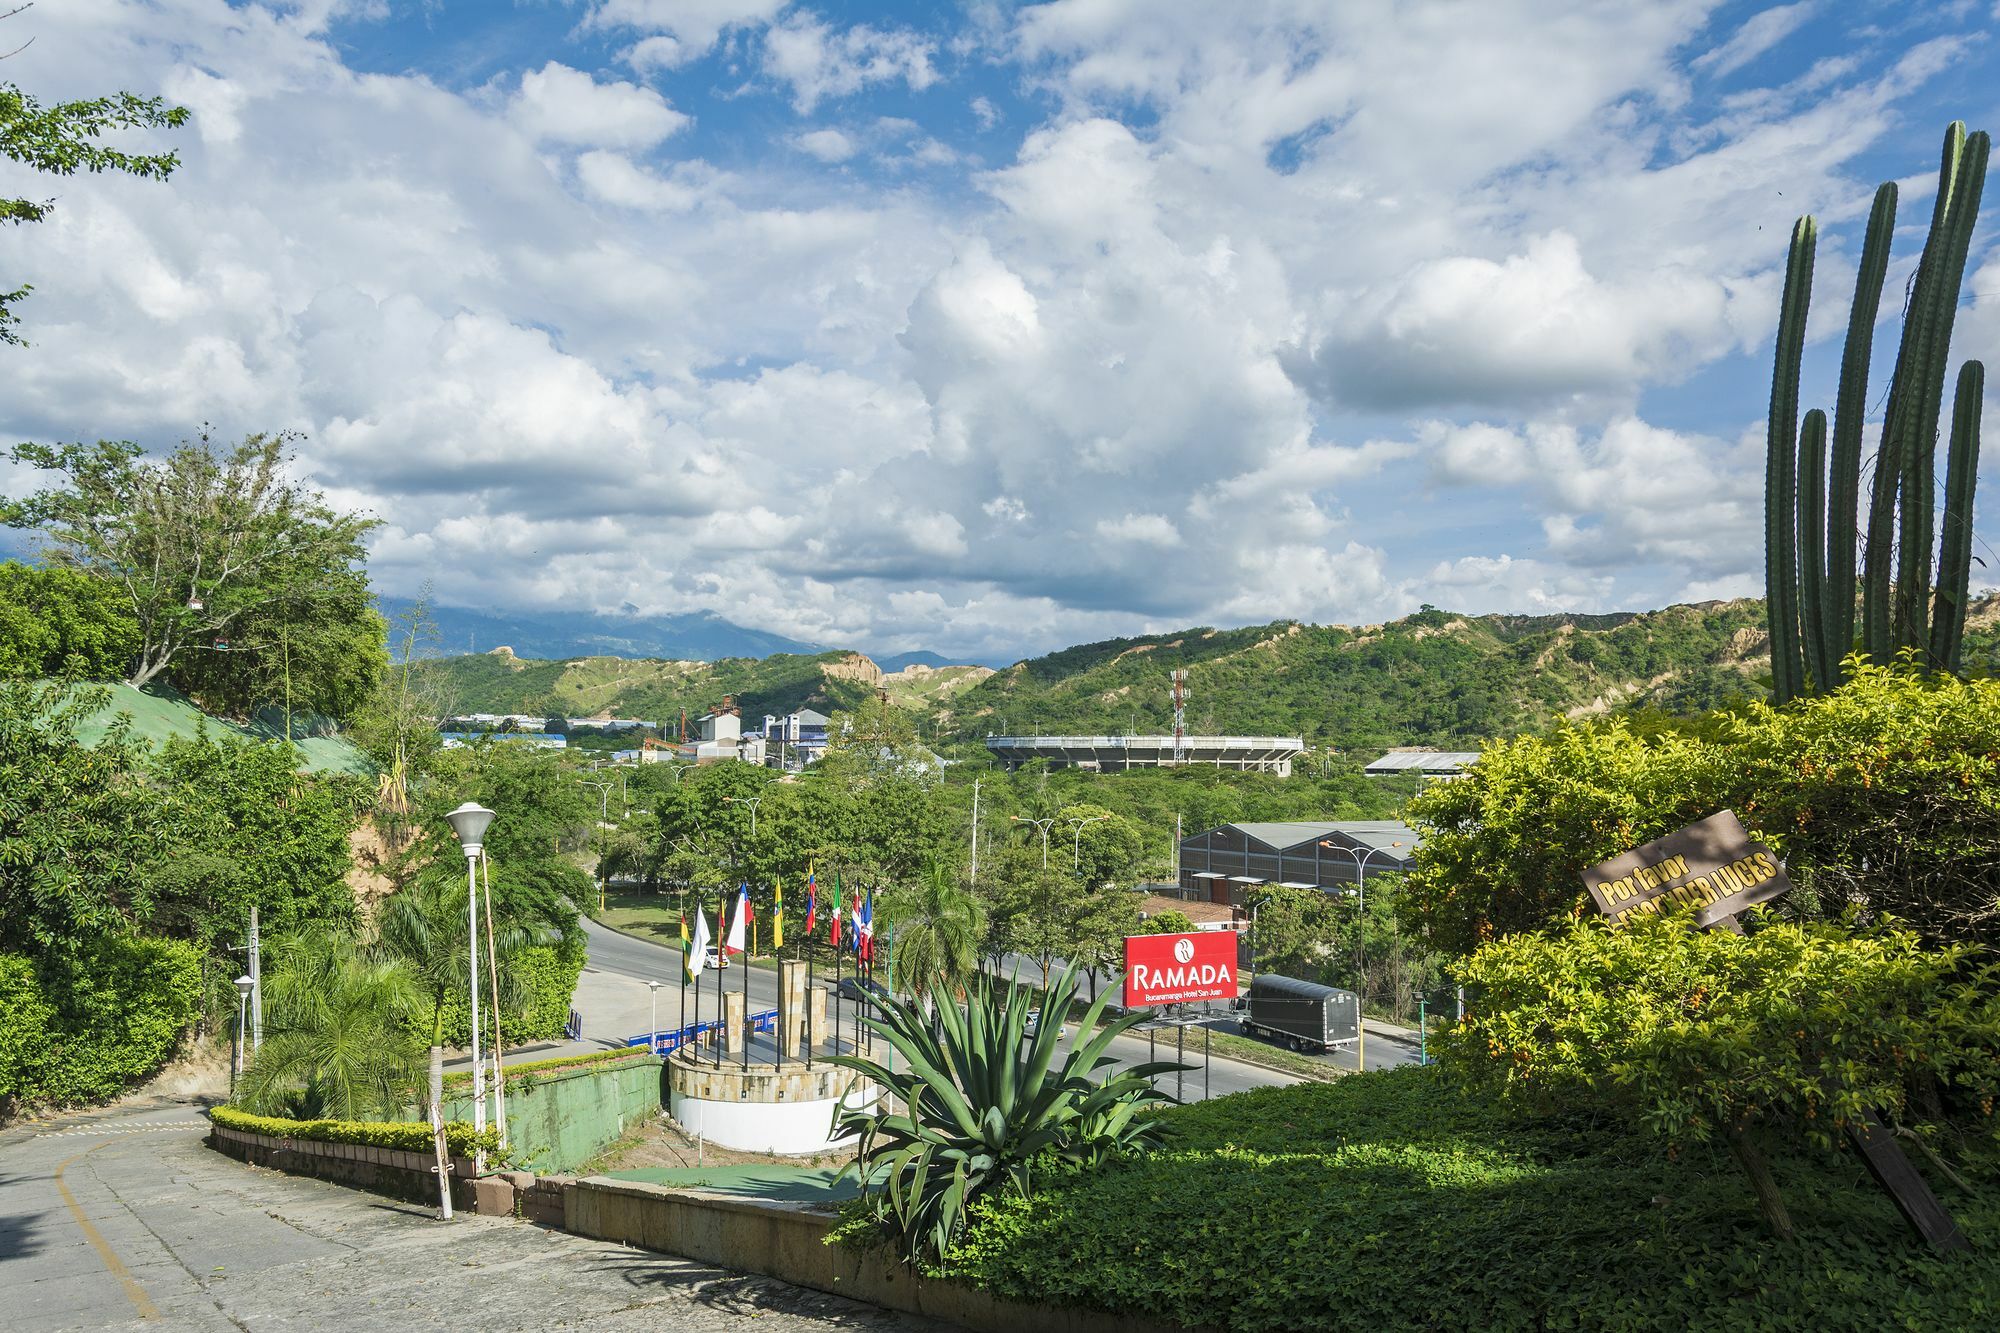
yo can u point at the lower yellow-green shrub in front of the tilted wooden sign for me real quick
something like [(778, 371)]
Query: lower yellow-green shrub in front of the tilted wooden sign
[(1693, 1034)]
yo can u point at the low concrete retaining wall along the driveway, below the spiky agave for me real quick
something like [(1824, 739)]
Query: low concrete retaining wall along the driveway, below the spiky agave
[(789, 1244)]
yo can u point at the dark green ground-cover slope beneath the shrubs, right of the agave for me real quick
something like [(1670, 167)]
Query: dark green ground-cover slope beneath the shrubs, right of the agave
[(1391, 1202)]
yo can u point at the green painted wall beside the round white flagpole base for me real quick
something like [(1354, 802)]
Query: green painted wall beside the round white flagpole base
[(561, 1120)]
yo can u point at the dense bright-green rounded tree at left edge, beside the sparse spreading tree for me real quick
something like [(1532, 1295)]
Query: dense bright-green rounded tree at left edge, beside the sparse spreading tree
[(61, 623)]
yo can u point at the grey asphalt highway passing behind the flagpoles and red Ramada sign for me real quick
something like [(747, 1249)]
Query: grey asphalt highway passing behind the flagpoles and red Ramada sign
[(617, 1004)]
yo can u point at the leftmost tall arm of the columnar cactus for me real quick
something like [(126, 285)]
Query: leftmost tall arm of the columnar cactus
[(1781, 461)]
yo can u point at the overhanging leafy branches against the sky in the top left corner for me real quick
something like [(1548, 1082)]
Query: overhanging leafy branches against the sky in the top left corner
[(61, 141)]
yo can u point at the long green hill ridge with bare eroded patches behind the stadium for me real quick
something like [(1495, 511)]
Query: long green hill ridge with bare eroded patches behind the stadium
[(1427, 680)]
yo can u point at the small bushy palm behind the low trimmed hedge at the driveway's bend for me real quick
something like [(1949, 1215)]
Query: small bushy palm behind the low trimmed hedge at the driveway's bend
[(339, 1034)]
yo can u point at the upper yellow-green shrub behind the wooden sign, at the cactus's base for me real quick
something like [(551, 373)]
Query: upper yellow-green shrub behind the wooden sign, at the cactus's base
[(1883, 798)]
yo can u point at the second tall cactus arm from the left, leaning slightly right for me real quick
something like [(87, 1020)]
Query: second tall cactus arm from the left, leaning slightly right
[(1851, 413)]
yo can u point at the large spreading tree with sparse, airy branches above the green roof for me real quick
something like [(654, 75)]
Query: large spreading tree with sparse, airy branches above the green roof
[(199, 545)]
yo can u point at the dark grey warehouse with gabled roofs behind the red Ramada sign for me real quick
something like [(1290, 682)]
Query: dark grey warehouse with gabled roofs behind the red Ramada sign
[(1223, 866)]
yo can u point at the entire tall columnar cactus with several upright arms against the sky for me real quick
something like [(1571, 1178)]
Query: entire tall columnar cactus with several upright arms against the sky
[(1811, 519)]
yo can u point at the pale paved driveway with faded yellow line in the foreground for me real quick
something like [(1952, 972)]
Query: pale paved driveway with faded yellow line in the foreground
[(125, 1220)]
